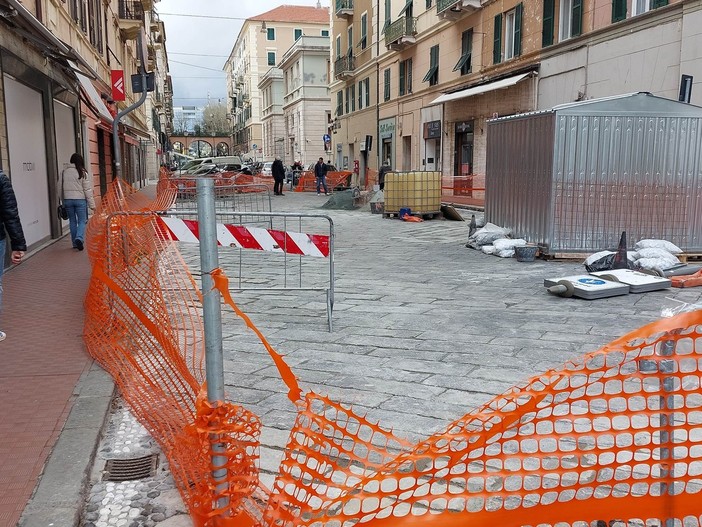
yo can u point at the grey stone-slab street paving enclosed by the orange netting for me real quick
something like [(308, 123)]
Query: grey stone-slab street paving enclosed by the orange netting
[(424, 328)]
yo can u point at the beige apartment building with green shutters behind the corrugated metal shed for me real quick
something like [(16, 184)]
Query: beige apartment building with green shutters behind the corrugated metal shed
[(445, 67)]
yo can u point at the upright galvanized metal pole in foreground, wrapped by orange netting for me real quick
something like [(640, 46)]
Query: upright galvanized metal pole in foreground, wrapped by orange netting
[(212, 316)]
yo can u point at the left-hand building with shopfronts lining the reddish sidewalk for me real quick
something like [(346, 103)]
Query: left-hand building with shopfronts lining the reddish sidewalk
[(56, 60)]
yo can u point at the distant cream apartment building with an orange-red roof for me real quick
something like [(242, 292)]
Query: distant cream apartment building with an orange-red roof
[(260, 45)]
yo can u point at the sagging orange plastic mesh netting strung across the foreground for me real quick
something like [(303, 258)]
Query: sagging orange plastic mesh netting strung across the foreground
[(614, 437)]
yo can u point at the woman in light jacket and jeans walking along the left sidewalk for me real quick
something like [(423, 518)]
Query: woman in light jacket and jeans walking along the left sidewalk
[(77, 190)]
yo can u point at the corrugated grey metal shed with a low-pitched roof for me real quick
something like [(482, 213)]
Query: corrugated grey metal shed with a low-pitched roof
[(573, 178)]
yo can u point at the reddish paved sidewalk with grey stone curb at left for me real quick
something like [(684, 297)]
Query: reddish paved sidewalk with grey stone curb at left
[(53, 398)]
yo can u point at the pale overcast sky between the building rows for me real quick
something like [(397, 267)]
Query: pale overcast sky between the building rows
[(200, 36)]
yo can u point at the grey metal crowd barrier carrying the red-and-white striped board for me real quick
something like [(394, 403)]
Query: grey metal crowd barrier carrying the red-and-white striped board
[(253, 253)]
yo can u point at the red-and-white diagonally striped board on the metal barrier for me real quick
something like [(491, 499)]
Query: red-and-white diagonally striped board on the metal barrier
[(187, 231)]
